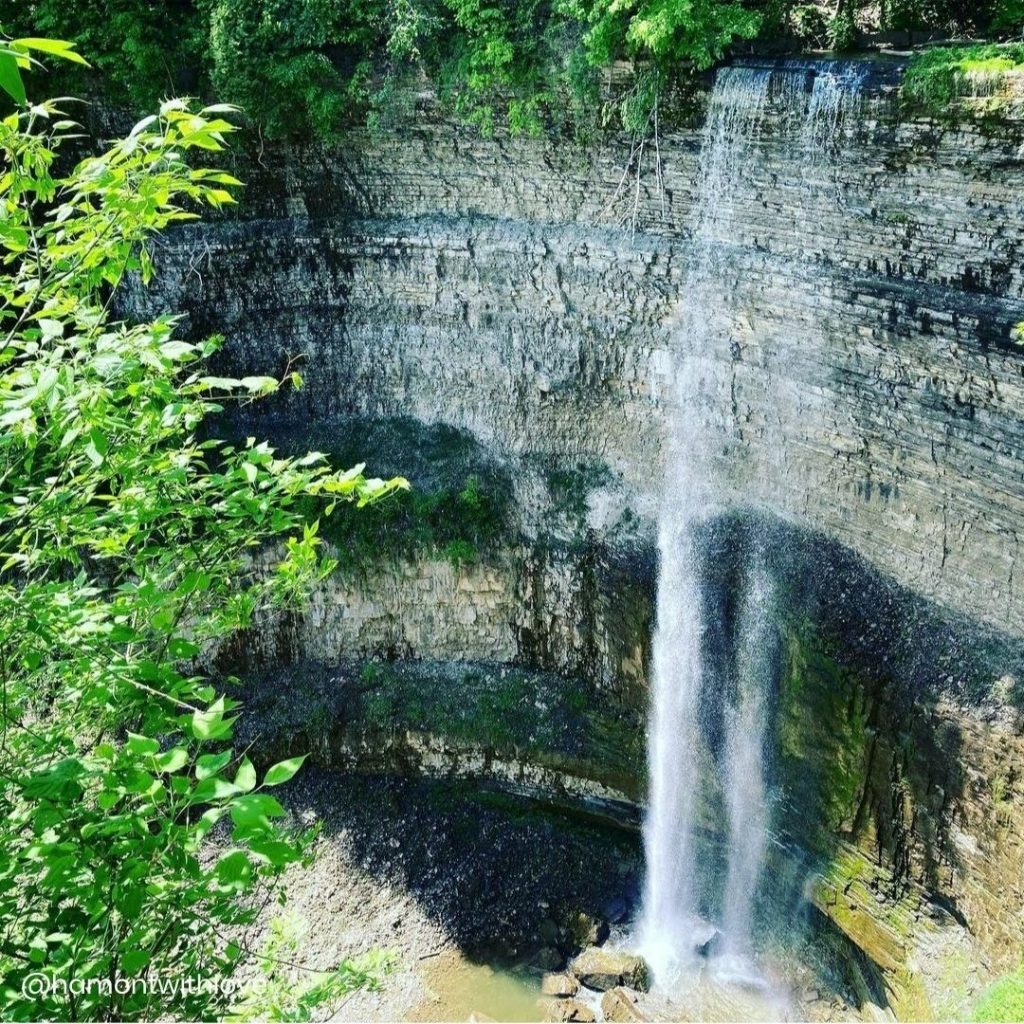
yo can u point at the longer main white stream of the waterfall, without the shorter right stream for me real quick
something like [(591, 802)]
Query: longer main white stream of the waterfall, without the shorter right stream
[(670, 921)]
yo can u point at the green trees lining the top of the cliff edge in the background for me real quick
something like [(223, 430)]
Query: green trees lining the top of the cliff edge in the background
[(306, 68)]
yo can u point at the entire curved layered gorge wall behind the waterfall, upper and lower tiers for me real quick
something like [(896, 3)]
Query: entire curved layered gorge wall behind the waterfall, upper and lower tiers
[(523, 291)]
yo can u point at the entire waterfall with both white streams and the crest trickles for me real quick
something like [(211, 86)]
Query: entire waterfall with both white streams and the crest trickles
[(685, 764)]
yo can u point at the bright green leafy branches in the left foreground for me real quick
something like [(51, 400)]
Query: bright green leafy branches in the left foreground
[(127, 539)]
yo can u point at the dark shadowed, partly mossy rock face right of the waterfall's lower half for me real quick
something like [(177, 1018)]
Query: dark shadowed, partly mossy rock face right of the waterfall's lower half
[(870, 685)]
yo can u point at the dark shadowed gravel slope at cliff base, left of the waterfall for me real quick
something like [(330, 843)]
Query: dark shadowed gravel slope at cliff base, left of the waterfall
[(502, 877)]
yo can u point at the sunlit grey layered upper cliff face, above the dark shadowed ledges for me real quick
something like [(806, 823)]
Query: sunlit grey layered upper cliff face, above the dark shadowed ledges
[(869, 387)]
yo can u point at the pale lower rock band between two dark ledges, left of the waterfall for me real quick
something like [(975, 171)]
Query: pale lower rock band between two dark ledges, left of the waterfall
[(574, 613)]
